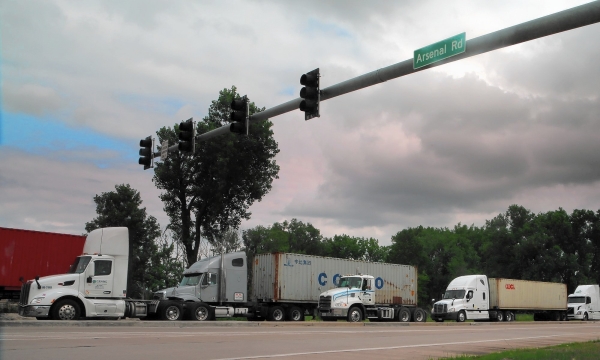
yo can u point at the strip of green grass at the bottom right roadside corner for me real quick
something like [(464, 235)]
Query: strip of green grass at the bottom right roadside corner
[(579, 351)]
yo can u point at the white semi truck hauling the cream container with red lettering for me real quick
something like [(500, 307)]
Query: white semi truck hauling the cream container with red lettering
[(481, 298)]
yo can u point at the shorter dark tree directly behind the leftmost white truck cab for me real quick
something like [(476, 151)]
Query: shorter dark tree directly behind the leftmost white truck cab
[(122, 207)]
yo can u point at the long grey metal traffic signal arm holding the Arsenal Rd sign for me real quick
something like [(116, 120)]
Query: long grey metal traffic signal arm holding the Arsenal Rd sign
[(569, 19)]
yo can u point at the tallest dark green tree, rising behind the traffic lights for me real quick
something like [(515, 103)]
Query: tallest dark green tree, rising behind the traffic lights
[(207, 193)]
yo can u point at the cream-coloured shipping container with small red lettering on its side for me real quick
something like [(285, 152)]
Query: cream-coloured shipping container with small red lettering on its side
[(514, 294)]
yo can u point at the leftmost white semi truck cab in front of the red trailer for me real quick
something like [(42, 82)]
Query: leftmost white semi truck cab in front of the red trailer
[(94, 286)]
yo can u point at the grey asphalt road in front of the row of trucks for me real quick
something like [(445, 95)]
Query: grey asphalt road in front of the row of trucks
[(191, 340)]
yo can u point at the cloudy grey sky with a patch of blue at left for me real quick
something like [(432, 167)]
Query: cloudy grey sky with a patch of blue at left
[(83, 81)]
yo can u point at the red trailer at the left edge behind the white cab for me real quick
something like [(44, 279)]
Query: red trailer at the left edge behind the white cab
[(27, 253)]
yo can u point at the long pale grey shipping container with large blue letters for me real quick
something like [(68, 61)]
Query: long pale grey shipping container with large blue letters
[(288, 277)]
